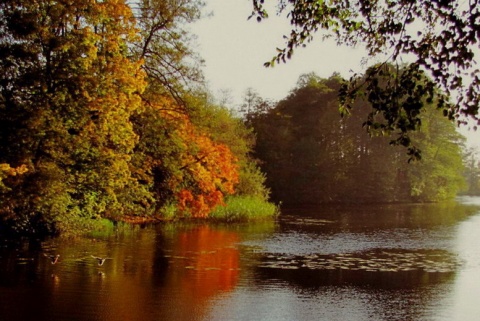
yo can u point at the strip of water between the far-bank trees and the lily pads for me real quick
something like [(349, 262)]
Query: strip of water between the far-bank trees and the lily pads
[(335, 229)]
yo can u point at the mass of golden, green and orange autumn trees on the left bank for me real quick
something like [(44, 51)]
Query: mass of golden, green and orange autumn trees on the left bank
[(96, 119)]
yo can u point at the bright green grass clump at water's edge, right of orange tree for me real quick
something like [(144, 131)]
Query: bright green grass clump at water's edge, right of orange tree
[(244, 209)]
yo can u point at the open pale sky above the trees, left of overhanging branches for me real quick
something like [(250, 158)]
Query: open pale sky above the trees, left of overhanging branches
[(235, 49)]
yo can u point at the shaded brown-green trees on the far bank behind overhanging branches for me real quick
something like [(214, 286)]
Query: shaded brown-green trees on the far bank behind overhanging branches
[(311, 155)]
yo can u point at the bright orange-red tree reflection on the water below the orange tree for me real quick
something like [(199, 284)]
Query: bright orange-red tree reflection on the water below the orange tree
[(202, 261)]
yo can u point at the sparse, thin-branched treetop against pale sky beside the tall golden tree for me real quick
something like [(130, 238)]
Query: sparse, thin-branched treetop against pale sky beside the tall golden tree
[(165, 45)]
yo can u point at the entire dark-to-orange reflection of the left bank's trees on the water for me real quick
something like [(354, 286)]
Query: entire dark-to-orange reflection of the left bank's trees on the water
[(153, 275)]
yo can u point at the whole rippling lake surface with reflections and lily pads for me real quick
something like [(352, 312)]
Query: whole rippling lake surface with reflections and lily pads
[(395, 262)]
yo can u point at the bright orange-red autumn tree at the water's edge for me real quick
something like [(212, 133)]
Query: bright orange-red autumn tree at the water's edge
[(182, 164)]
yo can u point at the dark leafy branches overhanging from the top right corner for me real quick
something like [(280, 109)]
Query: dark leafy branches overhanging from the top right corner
[(441, 35)]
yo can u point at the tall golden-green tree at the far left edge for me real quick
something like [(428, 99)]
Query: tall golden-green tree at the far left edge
[(65, 110)]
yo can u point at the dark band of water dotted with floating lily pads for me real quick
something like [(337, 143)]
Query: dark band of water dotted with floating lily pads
[(379, 269)]
